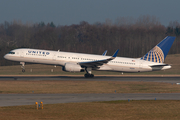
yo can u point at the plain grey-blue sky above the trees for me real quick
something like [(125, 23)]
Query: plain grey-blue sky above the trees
[(67, 12)]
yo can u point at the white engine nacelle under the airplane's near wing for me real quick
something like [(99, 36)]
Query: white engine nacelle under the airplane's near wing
[(72, 67)]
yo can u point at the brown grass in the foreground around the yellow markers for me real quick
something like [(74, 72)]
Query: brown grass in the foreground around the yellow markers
[(111, 110)]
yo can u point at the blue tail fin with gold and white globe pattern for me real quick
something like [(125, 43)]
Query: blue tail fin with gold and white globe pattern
[(160, 51)]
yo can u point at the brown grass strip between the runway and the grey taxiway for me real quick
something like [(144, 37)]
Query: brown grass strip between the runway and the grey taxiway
[(56, 86)]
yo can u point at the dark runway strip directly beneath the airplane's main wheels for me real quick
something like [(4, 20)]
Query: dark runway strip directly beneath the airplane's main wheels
[(160, 78)]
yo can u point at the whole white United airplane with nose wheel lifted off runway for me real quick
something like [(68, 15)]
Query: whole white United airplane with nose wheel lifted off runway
[(79, 62)]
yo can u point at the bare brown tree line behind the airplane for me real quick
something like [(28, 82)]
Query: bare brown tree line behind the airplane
[(133, 39)]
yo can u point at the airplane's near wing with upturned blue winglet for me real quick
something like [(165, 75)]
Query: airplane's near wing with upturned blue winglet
[(95, 64)]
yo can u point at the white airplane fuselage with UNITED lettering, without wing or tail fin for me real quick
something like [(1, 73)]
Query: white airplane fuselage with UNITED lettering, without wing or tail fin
[(60, 58)]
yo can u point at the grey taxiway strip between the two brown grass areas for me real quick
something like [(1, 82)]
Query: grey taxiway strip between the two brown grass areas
[(30, 99)]
